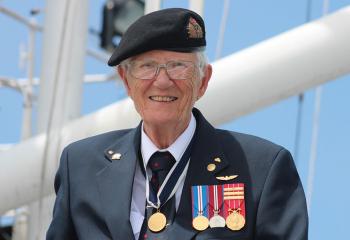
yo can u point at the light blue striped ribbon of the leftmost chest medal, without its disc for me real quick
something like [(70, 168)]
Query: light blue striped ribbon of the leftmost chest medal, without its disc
[(199, 201)]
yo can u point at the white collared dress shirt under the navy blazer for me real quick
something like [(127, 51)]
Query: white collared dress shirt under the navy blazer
[(177, 149)]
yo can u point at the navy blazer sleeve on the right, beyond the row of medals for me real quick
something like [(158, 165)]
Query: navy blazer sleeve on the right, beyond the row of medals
[(282, 212)]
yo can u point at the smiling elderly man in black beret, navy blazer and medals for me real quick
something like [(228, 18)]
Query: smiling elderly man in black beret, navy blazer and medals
[(174, 176)]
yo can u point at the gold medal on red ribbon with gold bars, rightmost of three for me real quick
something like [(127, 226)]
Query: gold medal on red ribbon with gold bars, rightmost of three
[(234, 206)]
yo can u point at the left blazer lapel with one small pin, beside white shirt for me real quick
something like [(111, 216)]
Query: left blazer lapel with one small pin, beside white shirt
[(115, 184)]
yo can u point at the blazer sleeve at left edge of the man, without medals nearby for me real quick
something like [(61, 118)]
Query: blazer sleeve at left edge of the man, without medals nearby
[(61, 226)]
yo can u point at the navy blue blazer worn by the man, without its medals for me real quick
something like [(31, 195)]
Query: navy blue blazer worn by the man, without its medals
[(94, 191)]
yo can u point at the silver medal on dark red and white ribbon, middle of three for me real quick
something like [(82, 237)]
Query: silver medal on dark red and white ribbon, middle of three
[(215, 204)]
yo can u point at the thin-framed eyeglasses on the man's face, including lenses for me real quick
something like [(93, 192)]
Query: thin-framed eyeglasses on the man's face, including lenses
[(147, 70)]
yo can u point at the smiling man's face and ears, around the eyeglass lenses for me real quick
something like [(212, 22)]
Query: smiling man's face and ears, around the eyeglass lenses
[(162, 100)]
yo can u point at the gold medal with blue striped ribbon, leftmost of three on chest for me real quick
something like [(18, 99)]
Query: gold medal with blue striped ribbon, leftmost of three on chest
[(200, 221)]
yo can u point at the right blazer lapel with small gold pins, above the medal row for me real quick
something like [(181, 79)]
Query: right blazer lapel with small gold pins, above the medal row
[(206, 150)]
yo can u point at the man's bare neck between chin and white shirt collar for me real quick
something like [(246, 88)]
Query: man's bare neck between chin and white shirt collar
[(163, 135)]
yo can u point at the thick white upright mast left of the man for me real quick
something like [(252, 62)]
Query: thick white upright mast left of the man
[(64, 48)]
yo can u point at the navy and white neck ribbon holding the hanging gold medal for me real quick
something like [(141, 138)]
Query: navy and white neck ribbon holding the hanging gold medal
[(171, 182)]
